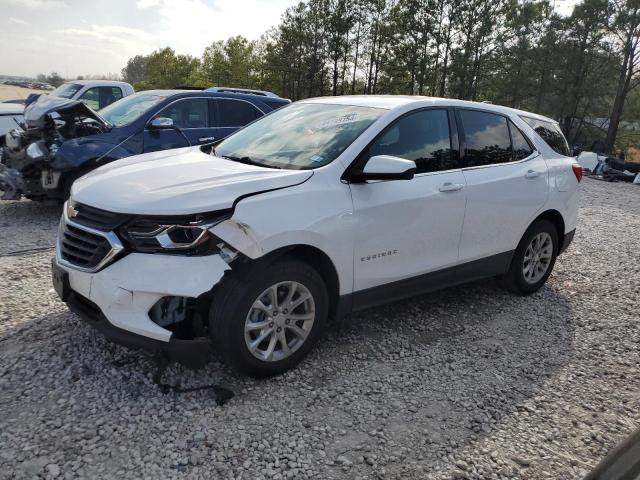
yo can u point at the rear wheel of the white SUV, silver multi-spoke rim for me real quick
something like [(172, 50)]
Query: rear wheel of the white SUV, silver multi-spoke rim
[(525, 281)]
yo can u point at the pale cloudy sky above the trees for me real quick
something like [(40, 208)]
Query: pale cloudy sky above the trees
[(80, 37)]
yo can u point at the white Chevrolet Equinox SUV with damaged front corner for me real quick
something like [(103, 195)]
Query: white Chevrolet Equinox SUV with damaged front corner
[(318, 209)]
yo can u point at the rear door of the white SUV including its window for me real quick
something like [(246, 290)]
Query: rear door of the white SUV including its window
[(507, 184)]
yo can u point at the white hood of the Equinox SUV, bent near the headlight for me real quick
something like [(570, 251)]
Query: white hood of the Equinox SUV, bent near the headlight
[(177, 182)]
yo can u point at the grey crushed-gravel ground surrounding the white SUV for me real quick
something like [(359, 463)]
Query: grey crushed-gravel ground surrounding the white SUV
[(470, 382)]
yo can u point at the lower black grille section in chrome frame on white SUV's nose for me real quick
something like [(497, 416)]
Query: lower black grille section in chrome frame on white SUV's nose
[(81, 248)]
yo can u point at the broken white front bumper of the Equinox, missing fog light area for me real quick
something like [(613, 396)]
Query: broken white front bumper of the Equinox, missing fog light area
[(121, 301)]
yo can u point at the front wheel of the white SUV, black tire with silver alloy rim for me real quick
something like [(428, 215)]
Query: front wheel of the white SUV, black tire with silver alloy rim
[(237, 320)]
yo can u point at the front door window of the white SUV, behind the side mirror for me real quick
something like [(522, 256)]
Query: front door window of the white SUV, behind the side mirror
[(420, 136)]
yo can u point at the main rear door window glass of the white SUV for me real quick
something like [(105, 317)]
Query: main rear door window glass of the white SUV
[(487, 139)]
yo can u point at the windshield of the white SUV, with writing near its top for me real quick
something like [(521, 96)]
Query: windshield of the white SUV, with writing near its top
[(299, 136)]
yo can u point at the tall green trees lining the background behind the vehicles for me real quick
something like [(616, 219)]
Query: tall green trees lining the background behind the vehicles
[(512, 52)]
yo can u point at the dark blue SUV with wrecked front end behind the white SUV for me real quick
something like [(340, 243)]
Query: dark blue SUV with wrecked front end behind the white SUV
[(61, 140)]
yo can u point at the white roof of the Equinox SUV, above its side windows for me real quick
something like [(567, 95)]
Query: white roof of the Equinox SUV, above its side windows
[(394, 101)]
